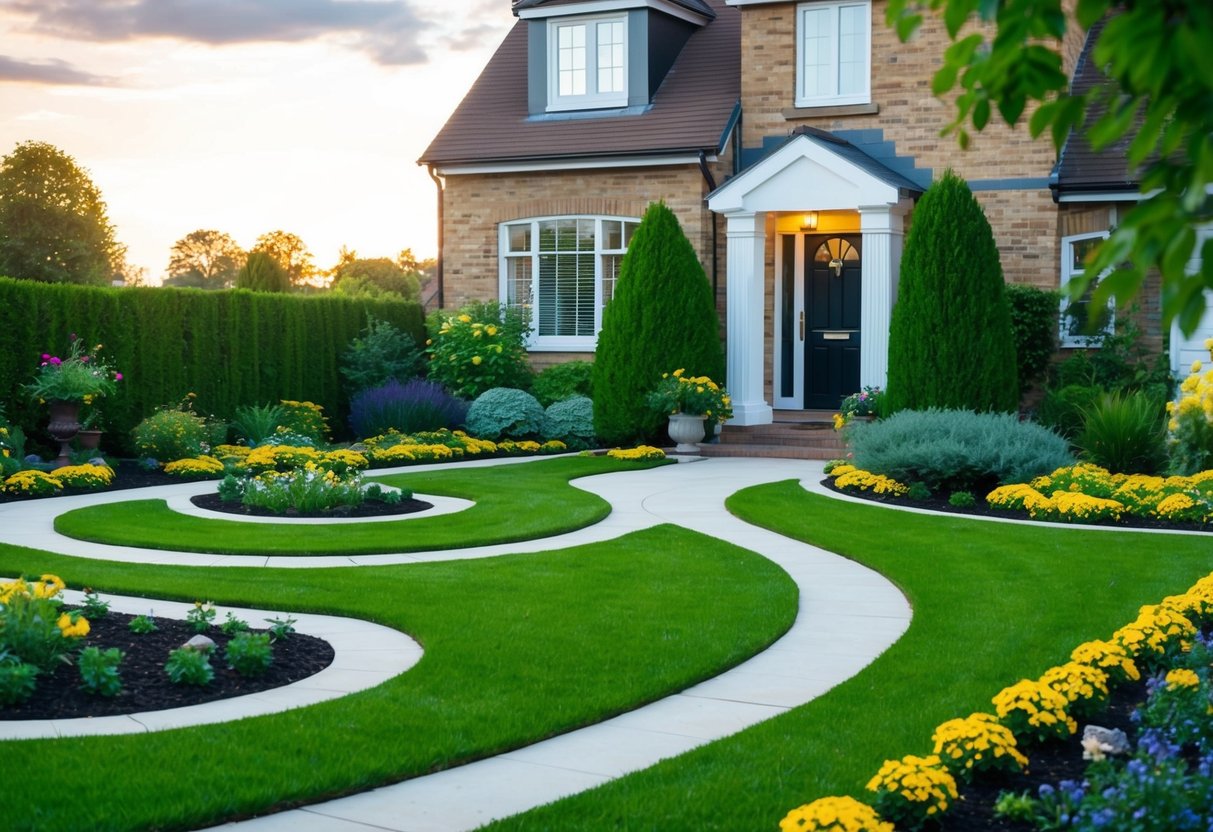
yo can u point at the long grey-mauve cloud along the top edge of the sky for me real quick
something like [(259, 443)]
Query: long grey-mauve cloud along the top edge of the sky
[(388, 31)]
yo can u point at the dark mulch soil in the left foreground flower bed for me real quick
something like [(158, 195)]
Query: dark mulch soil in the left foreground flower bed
[(146, 687)]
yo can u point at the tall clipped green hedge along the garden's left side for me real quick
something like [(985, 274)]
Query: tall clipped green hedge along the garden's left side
[(227, 347)]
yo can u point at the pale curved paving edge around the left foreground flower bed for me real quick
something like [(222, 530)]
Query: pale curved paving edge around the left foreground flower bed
[(367, 656)]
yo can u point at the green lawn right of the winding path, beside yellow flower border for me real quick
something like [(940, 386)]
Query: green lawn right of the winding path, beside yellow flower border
[(993, 603)]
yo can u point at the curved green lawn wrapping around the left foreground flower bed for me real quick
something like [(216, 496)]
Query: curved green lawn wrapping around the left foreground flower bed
[(517, 649)]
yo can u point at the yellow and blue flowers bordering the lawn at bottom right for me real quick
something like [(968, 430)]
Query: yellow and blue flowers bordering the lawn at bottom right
[(1165, 784)]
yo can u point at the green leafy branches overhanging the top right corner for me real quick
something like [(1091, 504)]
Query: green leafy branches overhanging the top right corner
[(1160, 69)]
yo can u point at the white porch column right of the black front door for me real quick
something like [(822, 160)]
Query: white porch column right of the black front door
[(882, 229)]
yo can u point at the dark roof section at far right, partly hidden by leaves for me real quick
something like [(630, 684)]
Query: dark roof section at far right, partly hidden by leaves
[(1080, 168)]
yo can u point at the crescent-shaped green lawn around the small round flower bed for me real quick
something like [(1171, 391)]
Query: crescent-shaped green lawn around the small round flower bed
[(514, 503)]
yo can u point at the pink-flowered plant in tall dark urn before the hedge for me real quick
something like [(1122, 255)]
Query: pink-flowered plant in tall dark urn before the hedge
[(67, 384)]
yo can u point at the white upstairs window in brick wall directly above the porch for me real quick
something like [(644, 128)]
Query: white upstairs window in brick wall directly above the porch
[(834, 54)]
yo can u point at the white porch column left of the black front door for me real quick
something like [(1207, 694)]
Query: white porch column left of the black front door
[(745, 275)]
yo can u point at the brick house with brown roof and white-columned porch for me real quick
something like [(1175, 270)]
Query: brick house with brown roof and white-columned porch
[(791, 139)]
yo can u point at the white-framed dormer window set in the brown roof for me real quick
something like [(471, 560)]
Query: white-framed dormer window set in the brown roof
[(588, 62)]
